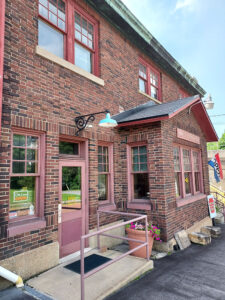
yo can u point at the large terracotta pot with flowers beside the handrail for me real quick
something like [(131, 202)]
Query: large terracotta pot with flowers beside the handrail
[(137, 231)]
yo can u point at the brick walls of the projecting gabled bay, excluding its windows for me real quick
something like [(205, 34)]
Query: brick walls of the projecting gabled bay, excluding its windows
[(165, 212)]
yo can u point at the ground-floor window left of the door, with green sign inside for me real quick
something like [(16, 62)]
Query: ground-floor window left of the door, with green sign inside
[(25, 177)]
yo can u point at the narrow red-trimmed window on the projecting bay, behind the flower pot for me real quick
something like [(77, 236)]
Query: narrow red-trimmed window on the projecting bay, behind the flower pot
[(139, 174)]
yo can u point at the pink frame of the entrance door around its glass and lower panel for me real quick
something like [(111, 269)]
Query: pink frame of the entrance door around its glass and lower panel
[(73, 215)]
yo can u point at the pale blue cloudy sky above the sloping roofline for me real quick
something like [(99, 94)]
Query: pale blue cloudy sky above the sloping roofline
[(193, 32)]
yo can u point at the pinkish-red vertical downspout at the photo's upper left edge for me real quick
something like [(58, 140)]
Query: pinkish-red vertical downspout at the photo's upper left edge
[(2, 37)]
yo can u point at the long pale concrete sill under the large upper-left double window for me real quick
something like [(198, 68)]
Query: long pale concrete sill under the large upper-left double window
[(64, 63)]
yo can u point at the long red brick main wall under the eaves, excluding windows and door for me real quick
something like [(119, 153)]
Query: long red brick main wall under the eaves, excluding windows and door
[(43, 96)]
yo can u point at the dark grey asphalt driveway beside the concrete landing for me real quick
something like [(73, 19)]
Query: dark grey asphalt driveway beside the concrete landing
[(195, 273)]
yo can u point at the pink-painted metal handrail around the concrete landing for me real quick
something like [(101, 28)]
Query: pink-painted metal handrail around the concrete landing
[(99, 232)]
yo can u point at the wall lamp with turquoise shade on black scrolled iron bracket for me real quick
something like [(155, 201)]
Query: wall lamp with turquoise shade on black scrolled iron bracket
[(82, 121)]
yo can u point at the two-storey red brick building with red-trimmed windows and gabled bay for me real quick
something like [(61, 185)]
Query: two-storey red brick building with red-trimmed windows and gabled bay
[(67, 58)]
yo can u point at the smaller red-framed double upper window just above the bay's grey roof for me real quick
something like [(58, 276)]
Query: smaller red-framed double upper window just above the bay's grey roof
[(149, 80)]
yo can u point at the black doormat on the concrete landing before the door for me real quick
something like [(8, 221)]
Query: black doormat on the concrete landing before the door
[(90, 262)]
